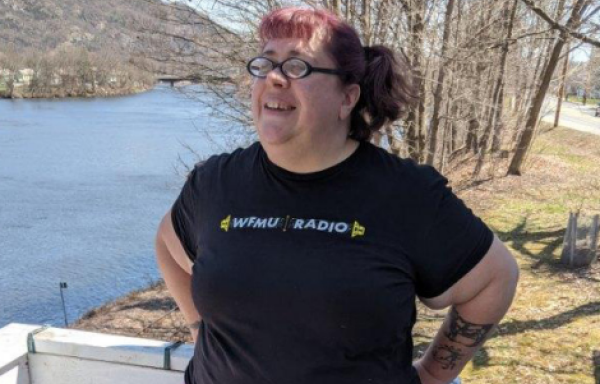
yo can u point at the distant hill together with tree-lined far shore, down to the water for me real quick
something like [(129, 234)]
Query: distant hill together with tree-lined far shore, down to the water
[(76, 47)]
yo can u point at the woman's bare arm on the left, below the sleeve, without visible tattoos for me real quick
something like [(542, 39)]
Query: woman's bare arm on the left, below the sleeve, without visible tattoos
[(178, 283)]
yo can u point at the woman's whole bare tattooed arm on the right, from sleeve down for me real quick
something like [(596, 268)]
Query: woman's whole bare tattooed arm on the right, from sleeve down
[(478, 302)]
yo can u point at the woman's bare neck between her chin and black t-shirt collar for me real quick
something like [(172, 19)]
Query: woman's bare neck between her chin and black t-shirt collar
[(314, 157)]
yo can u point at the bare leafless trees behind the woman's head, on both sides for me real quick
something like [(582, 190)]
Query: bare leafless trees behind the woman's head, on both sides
[(482, 67)]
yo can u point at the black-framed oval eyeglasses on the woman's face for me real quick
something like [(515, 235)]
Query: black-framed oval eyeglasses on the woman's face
[(292, 68)]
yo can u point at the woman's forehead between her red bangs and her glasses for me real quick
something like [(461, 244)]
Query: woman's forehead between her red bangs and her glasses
[(286, 47)]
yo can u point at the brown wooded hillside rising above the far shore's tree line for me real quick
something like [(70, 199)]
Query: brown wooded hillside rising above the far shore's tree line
[(145, 30)]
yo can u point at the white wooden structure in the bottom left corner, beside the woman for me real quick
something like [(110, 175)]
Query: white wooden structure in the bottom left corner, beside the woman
[(32, 354)]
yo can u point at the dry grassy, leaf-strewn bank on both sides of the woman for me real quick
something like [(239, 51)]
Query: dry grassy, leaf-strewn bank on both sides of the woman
[(553, 329)]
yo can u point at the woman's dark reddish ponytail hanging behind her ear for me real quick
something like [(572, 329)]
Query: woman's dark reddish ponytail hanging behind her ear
[(385, 93)]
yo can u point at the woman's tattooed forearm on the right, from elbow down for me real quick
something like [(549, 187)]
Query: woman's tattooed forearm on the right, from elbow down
[(466, 327)]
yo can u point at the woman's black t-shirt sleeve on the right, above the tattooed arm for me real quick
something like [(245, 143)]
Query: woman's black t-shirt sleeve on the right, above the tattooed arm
[(454, 241)]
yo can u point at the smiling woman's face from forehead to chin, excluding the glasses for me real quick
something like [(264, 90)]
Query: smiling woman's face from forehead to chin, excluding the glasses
[(300, 111)]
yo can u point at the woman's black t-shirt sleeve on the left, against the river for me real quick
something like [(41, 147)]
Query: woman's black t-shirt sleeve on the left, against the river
[(185, 212)]
